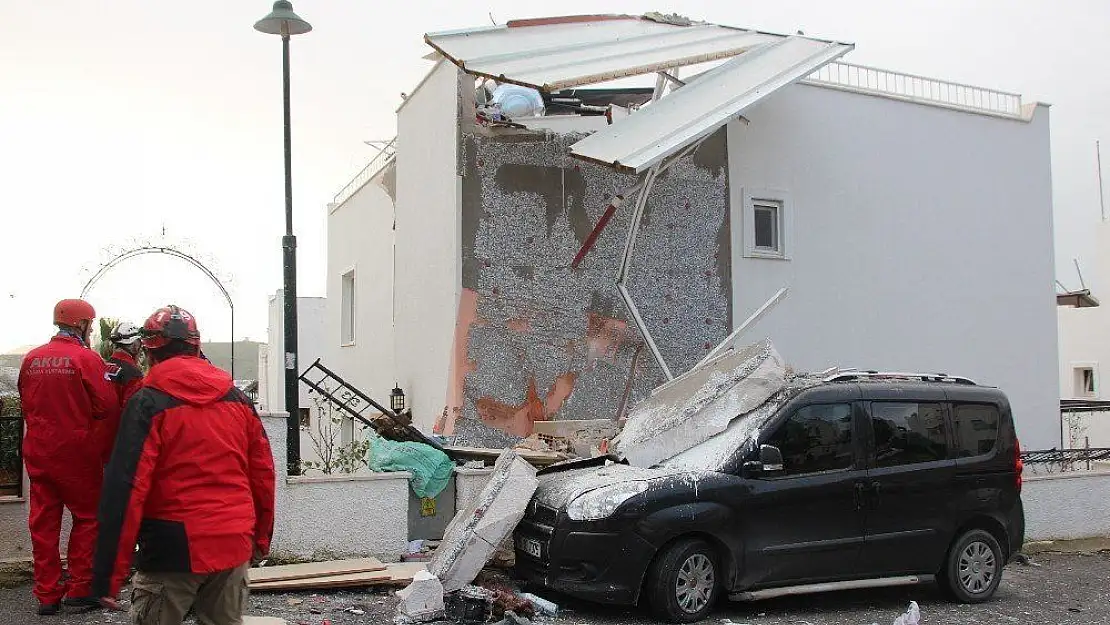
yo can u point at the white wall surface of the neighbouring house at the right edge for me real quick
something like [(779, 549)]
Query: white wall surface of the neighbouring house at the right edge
[(1085, 338)]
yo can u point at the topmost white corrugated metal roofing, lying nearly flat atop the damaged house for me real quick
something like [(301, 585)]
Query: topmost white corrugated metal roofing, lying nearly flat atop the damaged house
[(561, 53)]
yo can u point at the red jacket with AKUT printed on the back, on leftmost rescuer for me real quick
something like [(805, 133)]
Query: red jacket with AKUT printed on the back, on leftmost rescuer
[(64, 388)]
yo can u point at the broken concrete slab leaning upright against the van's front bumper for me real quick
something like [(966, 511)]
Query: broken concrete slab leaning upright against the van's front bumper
[(477, 531)]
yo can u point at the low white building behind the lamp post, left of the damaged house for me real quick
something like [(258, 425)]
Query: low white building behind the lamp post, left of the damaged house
[(312, 345)]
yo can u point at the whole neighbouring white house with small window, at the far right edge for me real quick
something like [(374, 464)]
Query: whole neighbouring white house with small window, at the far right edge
[(1085, 350)]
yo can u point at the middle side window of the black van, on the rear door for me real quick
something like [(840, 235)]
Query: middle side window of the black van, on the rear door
[(909, 434)]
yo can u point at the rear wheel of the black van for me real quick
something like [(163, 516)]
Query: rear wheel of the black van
[(974, 569)]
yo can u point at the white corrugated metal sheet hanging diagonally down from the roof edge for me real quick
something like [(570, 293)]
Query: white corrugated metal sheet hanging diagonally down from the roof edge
[(653, 134)]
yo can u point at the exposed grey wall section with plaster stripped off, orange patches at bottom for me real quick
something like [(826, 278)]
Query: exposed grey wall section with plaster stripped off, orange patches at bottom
[(538, 340)]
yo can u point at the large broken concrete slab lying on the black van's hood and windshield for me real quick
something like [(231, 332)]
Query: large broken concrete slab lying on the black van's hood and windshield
[(701, 405)]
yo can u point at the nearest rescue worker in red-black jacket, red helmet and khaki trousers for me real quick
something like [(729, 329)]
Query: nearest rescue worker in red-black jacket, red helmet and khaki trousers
[(191, 480)]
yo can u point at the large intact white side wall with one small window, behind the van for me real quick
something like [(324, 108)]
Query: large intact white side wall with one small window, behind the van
[(921, 239)]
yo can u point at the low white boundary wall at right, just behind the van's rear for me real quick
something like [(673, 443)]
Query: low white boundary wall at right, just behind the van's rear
[(1065, 507)]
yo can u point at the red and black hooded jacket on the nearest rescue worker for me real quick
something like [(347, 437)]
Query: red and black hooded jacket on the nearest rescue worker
[(191, 479)]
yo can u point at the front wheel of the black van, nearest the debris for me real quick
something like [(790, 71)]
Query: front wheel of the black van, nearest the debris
[(684, 582)]
